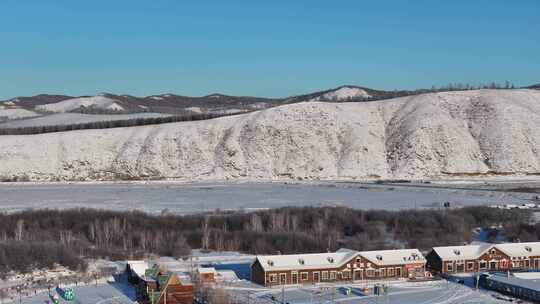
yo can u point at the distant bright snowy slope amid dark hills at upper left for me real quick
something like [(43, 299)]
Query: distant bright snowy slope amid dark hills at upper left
[(100, 102)]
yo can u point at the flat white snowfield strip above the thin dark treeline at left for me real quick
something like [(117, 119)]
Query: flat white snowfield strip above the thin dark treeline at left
[(73, 118)]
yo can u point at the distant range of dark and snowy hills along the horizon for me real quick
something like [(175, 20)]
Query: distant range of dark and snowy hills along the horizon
[(34, 108)]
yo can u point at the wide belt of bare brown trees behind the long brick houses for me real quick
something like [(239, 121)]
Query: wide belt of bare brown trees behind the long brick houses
[(119, 235)]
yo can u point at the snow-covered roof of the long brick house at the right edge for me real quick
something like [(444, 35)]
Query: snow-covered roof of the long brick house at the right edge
[(466, 252)]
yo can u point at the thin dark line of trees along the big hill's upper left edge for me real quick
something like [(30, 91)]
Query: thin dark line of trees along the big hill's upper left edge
[(111, 124)]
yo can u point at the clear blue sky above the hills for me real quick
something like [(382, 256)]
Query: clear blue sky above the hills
[(264, 48)]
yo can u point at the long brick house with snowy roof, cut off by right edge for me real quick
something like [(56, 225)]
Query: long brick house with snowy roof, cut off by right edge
[(484, 257)]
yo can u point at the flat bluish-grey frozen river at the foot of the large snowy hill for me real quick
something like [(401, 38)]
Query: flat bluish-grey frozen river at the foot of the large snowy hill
[(192, 198)]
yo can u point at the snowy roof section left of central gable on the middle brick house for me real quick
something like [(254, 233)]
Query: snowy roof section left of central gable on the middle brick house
[(304, 261)]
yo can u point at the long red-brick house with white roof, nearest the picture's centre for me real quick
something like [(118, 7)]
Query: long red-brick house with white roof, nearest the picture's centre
[(342, 265)]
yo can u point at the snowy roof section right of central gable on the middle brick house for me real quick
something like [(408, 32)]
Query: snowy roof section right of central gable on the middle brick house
[(394, 257)]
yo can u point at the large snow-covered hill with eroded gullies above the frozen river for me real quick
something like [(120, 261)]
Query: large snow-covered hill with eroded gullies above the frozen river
[(441, 134)]
